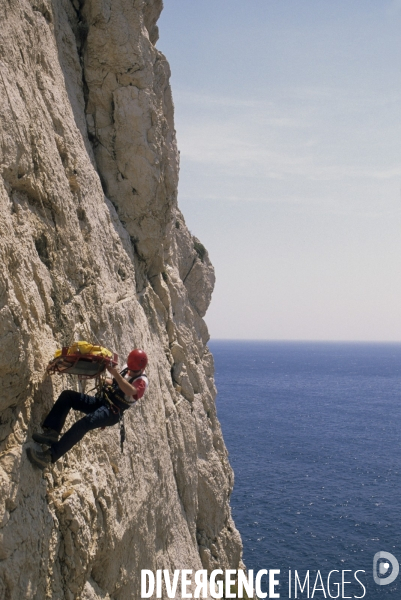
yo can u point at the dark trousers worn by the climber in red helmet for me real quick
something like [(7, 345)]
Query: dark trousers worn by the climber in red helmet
[(98, 414)]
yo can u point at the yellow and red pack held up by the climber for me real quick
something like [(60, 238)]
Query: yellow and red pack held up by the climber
[(83, 359)]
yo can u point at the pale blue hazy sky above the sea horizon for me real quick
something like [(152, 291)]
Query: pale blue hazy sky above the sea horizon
[(288, 122)]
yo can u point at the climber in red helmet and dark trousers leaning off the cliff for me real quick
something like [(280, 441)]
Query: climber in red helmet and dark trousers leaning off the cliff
[(103, 410)]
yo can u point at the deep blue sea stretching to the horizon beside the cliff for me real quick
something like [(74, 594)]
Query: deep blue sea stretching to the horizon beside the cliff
[(313, 434)]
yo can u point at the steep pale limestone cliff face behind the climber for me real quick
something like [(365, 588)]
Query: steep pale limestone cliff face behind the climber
[(94, 247)]
